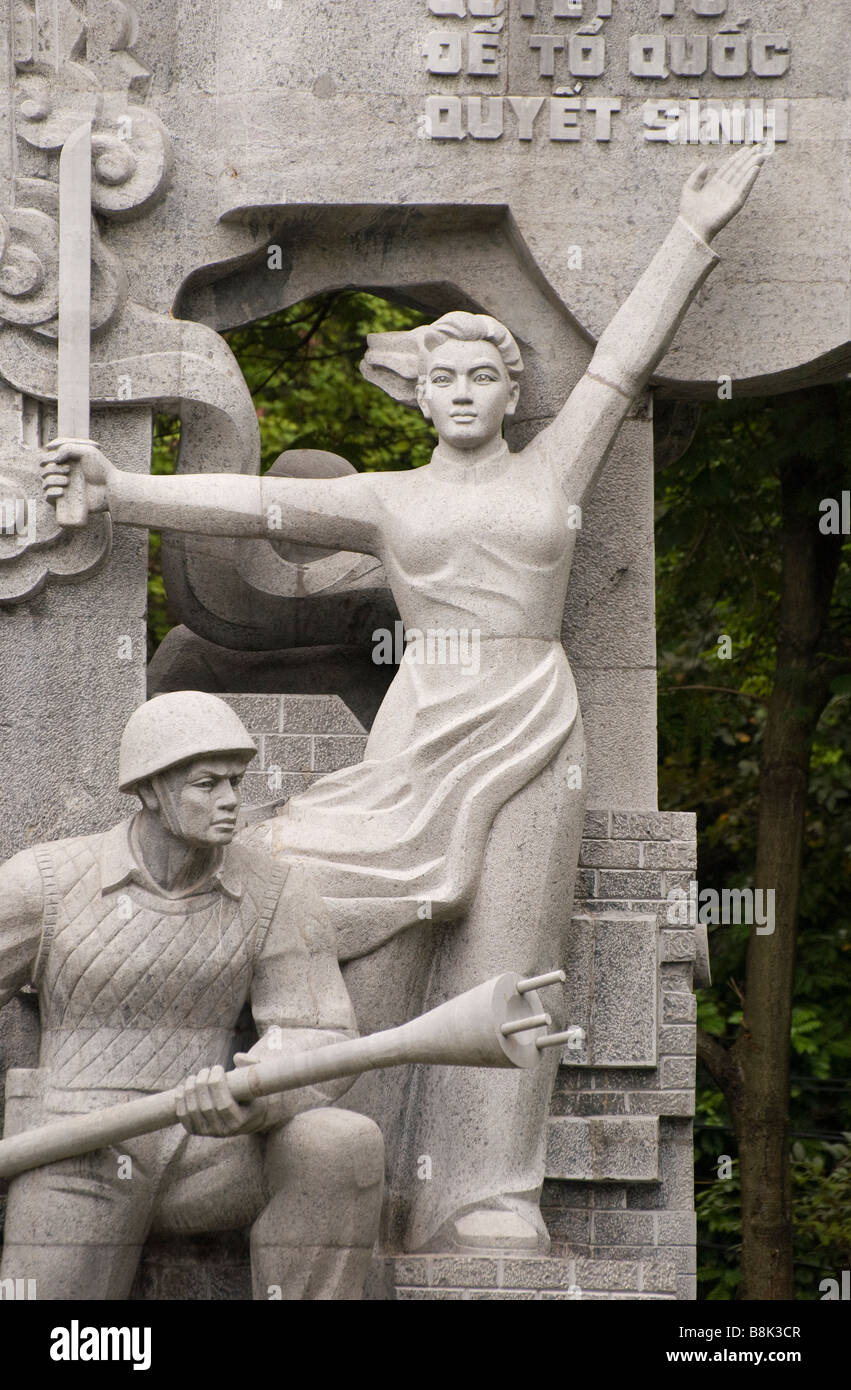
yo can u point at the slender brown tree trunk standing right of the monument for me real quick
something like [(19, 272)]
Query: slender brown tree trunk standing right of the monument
[(761, 1054)]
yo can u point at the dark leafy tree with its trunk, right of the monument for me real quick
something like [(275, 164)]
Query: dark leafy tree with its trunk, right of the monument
[(759, 746)]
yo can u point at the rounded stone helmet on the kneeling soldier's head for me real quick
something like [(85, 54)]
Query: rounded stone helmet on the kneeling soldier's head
[(175, 729)]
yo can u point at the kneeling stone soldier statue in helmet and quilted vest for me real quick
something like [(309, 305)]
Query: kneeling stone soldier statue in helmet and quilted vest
[(145, 945)]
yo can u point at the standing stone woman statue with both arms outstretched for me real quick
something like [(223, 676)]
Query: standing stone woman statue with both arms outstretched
[(453, 847)]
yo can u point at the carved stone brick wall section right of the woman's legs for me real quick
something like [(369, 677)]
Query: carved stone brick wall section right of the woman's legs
[(619, 1184)]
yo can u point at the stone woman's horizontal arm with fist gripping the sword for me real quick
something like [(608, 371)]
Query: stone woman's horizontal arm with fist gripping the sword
[(339, 514)]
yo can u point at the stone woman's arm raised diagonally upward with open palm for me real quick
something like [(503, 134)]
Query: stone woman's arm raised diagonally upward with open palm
[(635, 343)]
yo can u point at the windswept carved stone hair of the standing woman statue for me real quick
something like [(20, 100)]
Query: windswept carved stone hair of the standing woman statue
[(397, 362)]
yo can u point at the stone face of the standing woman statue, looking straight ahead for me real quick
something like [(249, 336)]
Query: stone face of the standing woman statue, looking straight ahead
[(467, 391)]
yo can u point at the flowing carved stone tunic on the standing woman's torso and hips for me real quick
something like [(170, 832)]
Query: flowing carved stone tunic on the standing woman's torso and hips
[(479, 559)]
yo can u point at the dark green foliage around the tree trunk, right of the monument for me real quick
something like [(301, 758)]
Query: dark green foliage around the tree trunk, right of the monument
[(718, 540)]
